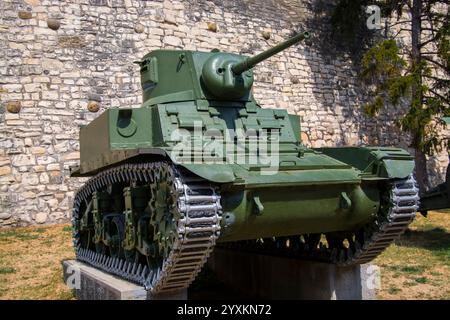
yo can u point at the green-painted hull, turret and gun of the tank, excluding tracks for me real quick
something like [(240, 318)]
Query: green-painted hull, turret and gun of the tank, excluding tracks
[(313, 190)]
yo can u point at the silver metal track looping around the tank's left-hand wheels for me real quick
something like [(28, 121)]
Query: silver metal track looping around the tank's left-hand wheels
[(197, 230)]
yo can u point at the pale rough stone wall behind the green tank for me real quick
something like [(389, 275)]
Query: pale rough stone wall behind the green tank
[(60, 61)]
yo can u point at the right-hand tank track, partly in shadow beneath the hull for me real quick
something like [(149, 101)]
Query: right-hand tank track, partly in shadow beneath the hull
[(402, 199)]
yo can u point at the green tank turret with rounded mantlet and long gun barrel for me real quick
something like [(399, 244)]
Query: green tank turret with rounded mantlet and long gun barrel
[(167, 75)]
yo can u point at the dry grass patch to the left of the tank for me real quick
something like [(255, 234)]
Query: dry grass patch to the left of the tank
[(30, 262)]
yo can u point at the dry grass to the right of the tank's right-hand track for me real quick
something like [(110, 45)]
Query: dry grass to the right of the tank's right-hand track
[(417, 265)]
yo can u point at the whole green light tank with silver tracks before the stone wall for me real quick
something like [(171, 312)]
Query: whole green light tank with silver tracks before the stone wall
[(200, 164)]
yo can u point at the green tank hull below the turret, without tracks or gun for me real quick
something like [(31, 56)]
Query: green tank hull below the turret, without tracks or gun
[(300, 191)]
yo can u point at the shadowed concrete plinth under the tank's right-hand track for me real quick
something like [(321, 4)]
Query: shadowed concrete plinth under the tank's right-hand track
[(283, 278)]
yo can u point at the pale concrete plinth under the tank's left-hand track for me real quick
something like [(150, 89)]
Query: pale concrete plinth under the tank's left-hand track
[(93, 284)]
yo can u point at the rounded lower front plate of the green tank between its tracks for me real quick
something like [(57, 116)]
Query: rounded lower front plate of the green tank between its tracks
[(289, 211)]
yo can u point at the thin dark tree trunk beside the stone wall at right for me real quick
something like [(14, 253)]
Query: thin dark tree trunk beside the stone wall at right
[(416, 29)]
